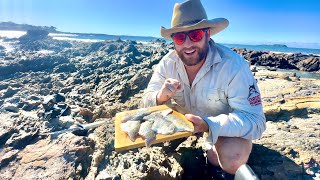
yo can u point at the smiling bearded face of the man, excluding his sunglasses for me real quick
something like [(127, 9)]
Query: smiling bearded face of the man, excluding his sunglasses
[(192, 53)]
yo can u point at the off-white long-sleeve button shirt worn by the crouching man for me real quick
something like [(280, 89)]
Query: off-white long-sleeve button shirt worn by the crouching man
[(224, 93)]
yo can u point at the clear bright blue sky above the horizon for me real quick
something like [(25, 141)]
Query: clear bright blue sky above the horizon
[(251, 21)]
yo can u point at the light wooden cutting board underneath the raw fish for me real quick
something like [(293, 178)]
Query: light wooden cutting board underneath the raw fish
[(122, 141)]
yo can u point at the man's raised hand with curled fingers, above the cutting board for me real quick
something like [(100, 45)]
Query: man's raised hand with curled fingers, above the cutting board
[(168, 89)]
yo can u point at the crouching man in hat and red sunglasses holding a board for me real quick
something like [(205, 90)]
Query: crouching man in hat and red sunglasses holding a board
[(210, 81)]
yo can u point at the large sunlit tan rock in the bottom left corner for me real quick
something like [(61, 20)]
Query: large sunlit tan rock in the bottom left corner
[(68, 156)]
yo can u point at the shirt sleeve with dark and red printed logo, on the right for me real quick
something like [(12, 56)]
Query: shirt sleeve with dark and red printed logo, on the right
[(246, 120)]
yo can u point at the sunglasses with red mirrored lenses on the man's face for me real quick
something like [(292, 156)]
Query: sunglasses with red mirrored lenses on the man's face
[(194, 35)]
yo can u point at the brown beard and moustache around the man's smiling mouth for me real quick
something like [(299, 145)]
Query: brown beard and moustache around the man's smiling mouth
[(201, 54)]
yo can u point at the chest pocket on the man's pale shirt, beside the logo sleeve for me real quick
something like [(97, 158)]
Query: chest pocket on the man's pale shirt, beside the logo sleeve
[(217, 101)]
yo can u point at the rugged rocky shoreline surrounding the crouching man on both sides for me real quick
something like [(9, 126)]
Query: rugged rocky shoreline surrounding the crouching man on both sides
[(75, 82)]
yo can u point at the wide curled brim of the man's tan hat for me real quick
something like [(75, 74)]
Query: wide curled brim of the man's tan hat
[(215, 25)]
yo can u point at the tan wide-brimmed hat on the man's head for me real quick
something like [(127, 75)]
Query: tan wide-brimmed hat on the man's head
[(191, 15)]
